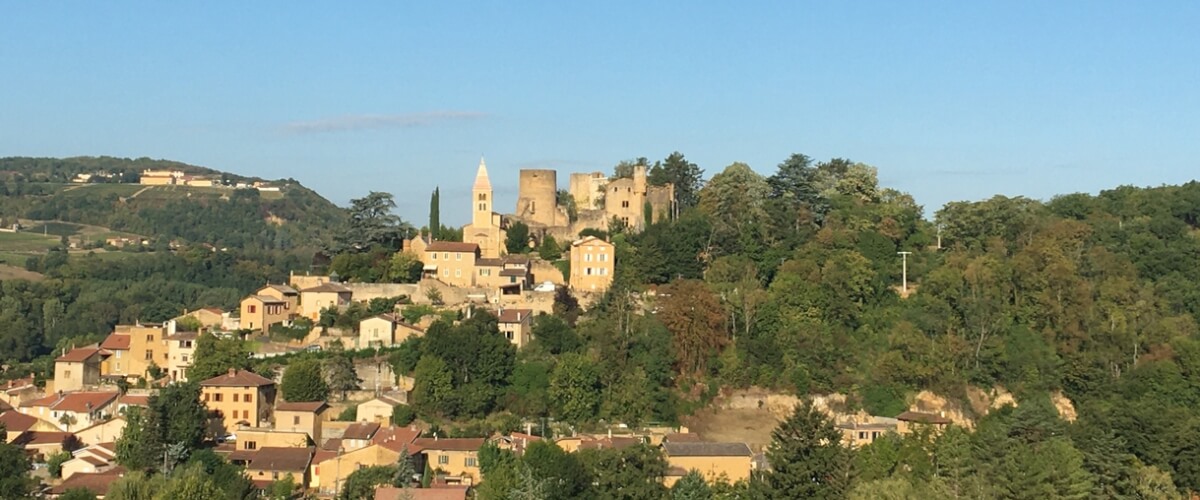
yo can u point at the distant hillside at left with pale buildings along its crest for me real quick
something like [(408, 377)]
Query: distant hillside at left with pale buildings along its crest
[(39, 190)]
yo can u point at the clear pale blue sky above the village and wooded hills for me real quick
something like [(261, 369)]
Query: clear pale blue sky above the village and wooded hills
[(950, 100)]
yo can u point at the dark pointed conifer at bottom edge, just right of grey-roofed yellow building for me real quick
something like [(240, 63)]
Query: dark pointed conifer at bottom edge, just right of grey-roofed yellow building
[(807, 459)]
